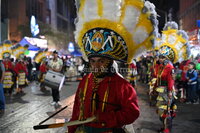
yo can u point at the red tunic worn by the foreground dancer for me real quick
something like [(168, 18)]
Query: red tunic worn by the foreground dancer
[(121, 93)]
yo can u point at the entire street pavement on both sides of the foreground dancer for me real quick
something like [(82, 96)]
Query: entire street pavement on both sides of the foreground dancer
[(29, 109)]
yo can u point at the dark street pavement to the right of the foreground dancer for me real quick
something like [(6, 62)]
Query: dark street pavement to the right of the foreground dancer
[(187, 120)]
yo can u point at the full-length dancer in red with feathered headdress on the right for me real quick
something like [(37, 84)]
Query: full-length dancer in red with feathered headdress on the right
[(174, 48)]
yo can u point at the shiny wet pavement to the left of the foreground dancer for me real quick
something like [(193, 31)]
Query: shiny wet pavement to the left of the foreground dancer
[(27, 110)]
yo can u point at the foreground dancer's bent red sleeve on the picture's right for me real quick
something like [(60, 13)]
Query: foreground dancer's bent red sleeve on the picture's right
[(128, 112)]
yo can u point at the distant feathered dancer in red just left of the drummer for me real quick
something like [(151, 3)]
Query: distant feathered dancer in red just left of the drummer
[(41, 58)]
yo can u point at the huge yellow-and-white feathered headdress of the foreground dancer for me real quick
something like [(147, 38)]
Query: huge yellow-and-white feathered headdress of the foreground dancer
[(119, 29)]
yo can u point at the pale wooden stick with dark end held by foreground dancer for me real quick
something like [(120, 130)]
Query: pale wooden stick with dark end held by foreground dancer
[(71, 123)]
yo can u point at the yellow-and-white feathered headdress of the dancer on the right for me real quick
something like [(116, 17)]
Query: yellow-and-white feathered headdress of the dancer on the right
[(174, 43)]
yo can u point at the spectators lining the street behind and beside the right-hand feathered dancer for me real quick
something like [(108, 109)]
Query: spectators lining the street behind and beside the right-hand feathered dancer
[(187, 87)]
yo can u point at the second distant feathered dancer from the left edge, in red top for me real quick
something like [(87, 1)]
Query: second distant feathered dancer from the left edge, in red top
[(20, 66)]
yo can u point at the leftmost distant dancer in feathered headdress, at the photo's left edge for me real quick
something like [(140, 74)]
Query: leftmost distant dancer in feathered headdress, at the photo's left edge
[(6, 52)]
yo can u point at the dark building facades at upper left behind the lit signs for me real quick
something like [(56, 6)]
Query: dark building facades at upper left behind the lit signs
[(59, 15)]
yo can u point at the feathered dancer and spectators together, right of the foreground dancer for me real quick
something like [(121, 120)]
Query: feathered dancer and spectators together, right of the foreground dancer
[(171, 76)]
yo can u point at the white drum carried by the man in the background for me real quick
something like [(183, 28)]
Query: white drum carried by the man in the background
[(54, 80)]
